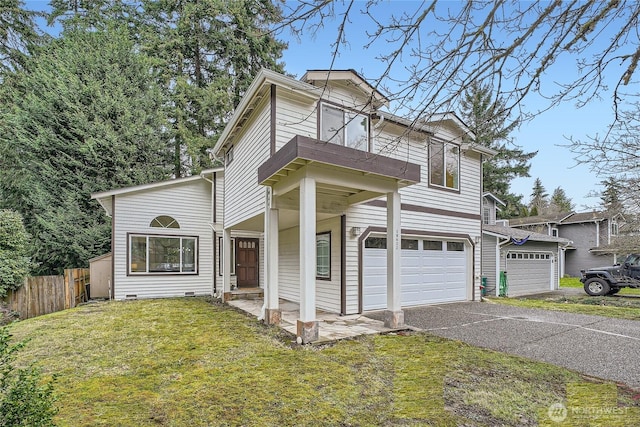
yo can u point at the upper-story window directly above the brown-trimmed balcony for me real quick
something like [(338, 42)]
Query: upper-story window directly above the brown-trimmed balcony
[(343, 127)]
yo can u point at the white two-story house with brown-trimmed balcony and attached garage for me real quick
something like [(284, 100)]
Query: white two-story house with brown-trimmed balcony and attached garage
[(328, 201)]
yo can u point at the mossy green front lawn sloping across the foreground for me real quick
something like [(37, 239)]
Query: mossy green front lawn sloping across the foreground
[(189, 362)]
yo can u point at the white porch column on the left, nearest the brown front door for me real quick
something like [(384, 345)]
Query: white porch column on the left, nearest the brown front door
[(273, 315)]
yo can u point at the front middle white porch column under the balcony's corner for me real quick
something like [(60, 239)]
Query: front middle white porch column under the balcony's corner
[(307, 327)]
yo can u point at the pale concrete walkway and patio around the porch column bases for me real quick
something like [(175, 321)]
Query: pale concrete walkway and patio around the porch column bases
[(331, 326)]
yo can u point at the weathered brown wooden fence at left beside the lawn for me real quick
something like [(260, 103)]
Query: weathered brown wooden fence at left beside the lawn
[(47, 294)]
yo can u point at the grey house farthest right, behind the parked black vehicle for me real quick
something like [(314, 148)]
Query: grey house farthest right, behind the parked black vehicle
[(590, 233)]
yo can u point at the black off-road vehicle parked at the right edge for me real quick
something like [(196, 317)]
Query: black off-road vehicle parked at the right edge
[(609, 280)]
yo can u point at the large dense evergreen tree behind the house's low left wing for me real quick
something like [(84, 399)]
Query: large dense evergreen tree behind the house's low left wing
[(86, 117)]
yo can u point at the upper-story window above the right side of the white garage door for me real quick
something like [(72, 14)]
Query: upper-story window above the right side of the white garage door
[(444, 165)]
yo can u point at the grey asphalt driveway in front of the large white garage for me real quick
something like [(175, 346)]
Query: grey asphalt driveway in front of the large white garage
[(597, 346)]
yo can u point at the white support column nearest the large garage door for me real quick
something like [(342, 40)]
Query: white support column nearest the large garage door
[(394, 316)]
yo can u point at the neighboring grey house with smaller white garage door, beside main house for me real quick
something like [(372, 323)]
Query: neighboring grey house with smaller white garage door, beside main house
[(530, 261)]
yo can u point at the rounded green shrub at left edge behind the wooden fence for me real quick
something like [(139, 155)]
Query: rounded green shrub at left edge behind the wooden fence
[(14, 261)]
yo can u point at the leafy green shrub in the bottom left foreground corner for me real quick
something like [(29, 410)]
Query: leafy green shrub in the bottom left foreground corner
[(25, 399)]
